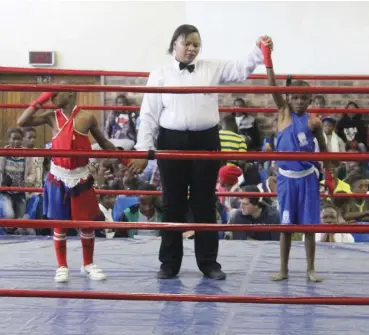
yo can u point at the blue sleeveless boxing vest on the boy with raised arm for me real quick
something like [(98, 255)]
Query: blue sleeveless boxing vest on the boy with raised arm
[(297, 137)]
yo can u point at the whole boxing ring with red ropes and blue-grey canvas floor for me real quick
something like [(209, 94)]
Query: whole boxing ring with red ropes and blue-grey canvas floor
[(134, 301)]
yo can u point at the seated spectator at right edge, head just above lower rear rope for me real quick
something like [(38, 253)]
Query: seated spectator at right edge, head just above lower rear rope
[(357, 209)]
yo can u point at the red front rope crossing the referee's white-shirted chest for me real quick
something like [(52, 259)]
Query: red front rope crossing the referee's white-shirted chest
[(182, 90)]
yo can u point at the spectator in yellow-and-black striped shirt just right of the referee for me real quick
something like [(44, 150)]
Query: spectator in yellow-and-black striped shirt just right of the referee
[(230, 140)]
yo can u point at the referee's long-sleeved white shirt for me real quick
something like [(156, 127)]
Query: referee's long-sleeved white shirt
[(192, 112)]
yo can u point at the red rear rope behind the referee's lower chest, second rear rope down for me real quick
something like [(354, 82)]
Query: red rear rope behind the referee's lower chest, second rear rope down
[(221, 109)]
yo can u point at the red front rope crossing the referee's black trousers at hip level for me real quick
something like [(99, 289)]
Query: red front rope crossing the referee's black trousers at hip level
[(184, 155)]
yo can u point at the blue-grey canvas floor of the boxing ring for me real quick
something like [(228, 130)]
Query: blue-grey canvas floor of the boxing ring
[(131, 266)]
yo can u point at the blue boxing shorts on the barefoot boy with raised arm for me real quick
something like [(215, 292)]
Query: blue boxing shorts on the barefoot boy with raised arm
[(299, 199)]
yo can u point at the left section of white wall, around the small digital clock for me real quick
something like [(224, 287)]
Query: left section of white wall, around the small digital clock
[(110, 35)]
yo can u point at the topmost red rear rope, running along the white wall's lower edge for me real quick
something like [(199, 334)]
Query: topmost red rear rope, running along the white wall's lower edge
[(94, 73)]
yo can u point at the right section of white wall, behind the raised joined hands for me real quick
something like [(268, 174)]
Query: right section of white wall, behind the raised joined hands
[(310, 37)]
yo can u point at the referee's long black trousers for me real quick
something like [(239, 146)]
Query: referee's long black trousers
[(199, 177)]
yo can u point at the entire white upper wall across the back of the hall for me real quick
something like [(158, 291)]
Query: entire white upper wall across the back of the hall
[(310, 37)]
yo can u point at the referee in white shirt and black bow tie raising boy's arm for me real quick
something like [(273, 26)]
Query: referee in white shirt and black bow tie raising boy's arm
[(188, 122)]
